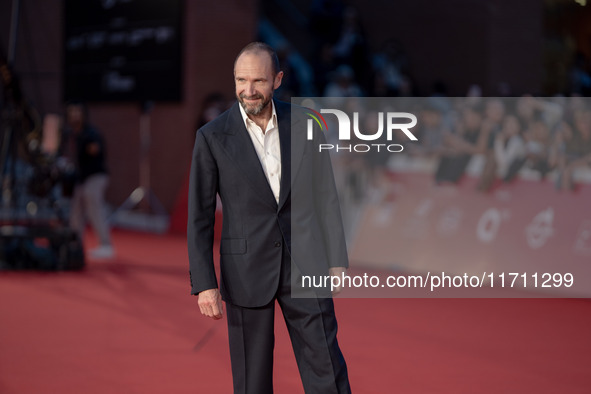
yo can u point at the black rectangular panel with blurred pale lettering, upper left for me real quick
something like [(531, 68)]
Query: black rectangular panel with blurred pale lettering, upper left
[(122, 50)]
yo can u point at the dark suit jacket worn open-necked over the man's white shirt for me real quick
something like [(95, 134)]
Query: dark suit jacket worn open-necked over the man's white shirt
[(255, 226)]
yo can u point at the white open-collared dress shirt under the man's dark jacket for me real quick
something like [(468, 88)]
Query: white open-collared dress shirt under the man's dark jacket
[(267, 147)]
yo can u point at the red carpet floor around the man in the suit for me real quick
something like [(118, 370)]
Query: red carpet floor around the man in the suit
[(129, 326)]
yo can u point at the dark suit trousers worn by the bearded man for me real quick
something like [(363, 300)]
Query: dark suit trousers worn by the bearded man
[(312, 328)]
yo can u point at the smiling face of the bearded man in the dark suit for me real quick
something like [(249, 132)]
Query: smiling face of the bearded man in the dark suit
[(255, 82)]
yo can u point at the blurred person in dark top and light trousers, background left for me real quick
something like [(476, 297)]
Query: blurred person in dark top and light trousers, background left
[(82, 153)]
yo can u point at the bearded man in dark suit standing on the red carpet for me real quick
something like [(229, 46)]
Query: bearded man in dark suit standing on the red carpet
[(253, 158)]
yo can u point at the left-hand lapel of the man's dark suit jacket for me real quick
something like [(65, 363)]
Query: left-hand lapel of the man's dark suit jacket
[(239, 147)]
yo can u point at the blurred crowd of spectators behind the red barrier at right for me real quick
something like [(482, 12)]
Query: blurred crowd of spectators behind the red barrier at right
[(494, 140)]
